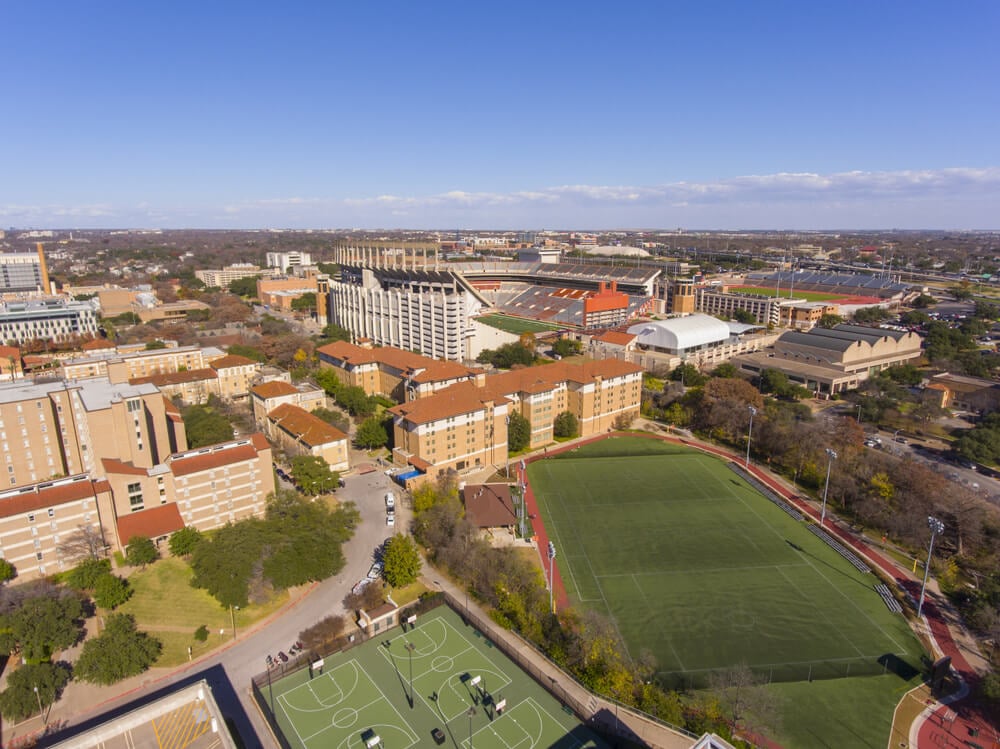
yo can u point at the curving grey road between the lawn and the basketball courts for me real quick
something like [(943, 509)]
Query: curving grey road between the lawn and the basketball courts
[(229, 671)]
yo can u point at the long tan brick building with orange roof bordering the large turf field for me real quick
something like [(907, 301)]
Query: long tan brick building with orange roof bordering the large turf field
[(465, 425)]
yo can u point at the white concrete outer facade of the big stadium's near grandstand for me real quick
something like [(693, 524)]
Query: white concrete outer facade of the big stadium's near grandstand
[(419, 310)]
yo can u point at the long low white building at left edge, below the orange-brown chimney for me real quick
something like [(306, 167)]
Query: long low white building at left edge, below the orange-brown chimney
[(46, 320)]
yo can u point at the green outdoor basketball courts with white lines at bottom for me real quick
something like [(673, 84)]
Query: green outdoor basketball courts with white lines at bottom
[(365, 692)]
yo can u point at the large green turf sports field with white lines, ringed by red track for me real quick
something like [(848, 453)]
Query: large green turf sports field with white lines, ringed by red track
[(699, 569)]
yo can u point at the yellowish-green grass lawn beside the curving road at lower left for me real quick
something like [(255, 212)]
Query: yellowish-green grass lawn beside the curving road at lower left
[(164, 604)]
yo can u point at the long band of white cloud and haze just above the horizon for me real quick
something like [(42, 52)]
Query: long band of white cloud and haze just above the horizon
[(951, 198)]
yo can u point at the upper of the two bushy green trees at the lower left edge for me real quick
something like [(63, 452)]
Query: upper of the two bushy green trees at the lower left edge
[(46, 622)]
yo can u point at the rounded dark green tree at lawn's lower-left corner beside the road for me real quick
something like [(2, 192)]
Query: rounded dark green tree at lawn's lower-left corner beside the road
[(119, 652)]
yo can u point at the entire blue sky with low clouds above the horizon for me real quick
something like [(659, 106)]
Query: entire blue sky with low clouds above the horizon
[(535, 114)]
